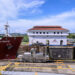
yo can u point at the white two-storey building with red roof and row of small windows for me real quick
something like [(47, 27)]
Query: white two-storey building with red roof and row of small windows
[(55, 35)]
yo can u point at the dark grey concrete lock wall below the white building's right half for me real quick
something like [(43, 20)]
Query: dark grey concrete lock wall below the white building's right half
[(61, 53)]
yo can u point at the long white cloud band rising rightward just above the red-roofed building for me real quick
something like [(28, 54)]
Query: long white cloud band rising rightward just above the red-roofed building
[(66, 19)]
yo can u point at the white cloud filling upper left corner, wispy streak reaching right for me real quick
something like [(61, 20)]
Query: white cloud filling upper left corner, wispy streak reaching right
[(12, 9)]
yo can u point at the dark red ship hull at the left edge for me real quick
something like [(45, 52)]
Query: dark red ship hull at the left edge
[(9, 47)]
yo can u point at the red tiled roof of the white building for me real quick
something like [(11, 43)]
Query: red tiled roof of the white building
[(47, 28)]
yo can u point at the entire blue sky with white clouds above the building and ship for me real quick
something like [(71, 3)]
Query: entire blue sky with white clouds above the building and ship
[(24, 14)]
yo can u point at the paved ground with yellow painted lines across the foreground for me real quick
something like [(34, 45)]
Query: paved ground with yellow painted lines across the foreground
[(20, 68)]
